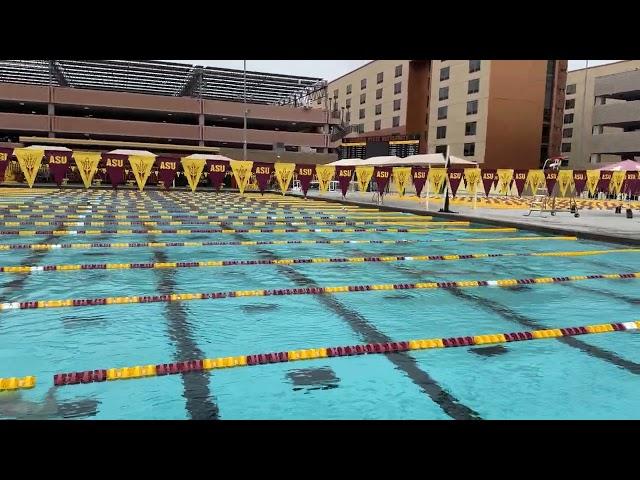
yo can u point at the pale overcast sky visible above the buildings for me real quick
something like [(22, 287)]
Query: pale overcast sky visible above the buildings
[(326, 69)]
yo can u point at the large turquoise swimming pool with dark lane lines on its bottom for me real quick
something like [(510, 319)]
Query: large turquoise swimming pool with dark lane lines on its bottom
[(586, 376)]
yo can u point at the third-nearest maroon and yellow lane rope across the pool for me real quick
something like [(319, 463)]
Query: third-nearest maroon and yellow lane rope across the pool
[(289, 261)]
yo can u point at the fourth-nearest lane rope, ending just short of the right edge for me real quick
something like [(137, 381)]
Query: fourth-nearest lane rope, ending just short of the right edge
[(84, 246)]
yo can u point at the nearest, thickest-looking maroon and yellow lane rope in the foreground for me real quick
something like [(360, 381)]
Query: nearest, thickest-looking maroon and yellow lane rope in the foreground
[(142, 371)]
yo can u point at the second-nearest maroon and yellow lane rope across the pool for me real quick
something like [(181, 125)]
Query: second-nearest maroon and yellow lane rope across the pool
[(177, 297)]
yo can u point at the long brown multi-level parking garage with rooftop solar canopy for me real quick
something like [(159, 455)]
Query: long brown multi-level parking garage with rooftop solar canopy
[(163, 107)]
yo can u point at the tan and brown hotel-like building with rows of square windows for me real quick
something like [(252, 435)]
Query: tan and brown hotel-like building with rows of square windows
[(499, 113)]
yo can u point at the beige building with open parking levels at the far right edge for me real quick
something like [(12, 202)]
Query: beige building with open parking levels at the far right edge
[(602, 114)]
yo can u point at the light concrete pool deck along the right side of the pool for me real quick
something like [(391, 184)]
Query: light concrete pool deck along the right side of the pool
[(600, 225)]
